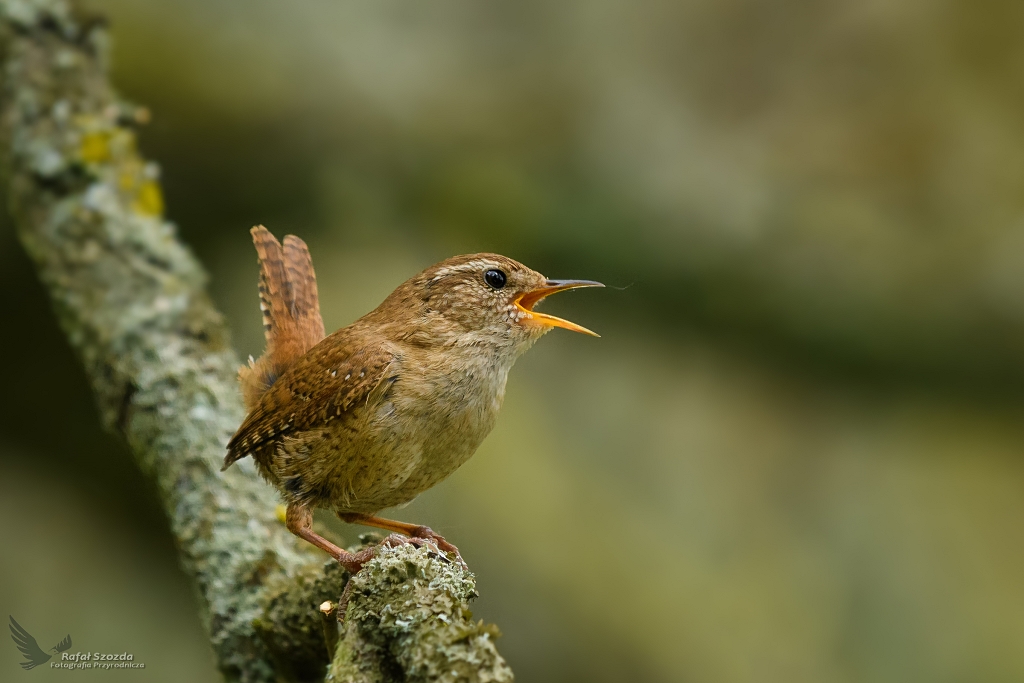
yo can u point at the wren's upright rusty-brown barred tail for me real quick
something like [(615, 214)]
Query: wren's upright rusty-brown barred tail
[(290, 304)]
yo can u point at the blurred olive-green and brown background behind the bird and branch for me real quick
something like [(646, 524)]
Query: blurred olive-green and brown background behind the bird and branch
[(796, 455)]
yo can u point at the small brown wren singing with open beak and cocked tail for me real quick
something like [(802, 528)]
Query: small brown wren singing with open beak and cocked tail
[(387, 408)]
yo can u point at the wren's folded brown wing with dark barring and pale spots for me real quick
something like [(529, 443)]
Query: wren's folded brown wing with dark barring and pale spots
[(323, 387)]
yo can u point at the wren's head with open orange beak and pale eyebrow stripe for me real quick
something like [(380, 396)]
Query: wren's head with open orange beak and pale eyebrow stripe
[(482, 301)]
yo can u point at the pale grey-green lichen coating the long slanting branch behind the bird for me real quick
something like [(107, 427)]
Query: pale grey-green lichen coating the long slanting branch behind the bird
[(132, 302)]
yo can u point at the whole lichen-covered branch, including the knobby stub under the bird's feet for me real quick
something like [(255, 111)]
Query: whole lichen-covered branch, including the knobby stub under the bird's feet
[(132, 301)]
